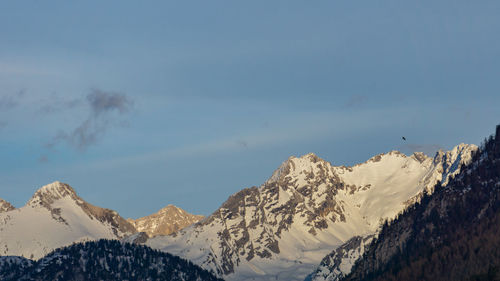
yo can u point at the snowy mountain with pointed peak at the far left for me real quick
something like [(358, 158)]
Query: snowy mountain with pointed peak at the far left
[(54, 217)]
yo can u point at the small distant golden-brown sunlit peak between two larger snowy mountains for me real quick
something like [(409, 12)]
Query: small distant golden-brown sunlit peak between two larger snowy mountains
[(166, 221)]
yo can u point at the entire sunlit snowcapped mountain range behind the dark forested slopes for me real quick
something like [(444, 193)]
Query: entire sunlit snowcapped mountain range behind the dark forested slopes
[(308, 213)]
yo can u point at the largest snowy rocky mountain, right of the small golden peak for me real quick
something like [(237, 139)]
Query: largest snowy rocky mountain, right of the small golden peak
[(283, 229)]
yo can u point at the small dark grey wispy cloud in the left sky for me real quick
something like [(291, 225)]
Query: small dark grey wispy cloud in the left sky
[(101, 118)]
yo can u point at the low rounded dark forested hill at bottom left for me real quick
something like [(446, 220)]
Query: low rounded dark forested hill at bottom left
[(103, 260)]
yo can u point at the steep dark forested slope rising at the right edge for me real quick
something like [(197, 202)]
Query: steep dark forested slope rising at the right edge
[(453, 234)]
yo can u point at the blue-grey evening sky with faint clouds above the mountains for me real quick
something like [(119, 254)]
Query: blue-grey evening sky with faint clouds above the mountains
[(140, 104)]
